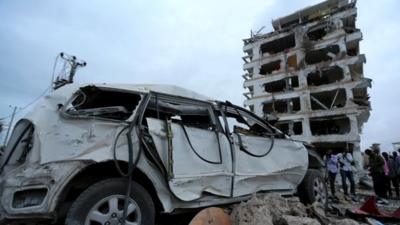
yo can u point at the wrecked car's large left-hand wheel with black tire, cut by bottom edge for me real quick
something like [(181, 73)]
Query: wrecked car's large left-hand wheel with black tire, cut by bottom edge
[(103, 204)]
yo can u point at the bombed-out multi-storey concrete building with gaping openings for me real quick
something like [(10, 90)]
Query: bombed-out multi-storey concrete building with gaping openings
[(308, 72)]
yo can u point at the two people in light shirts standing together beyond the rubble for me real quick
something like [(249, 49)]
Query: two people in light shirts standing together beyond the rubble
[(342, 163)]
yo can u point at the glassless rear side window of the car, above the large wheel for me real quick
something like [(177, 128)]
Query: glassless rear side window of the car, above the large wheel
[(103, 103)]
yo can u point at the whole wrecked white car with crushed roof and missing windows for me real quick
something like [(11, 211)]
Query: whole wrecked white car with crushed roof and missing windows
[(108, 154)]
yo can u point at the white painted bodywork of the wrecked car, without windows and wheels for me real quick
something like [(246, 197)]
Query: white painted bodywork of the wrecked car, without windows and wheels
[(63, 141)]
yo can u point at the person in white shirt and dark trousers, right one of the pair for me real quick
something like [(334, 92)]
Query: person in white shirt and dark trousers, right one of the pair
[(346, 163)]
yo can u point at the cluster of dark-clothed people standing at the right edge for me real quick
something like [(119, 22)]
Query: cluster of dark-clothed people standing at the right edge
[(385, 172)]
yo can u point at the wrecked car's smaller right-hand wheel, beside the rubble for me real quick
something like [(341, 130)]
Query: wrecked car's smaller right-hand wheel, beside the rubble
[(313, 188)]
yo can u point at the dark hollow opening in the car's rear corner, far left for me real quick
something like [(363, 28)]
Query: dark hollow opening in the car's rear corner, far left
[(19, 145)]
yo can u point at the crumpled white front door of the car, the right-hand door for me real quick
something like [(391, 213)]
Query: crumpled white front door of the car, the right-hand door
[(262, 159)]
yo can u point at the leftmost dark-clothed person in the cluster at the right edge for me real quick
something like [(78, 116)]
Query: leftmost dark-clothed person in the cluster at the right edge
[(376, 171)]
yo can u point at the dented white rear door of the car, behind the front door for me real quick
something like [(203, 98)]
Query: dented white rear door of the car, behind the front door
[(192, 147)]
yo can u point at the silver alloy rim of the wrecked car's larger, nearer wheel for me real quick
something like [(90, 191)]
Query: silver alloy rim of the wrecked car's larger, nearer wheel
[(109, 211)]
